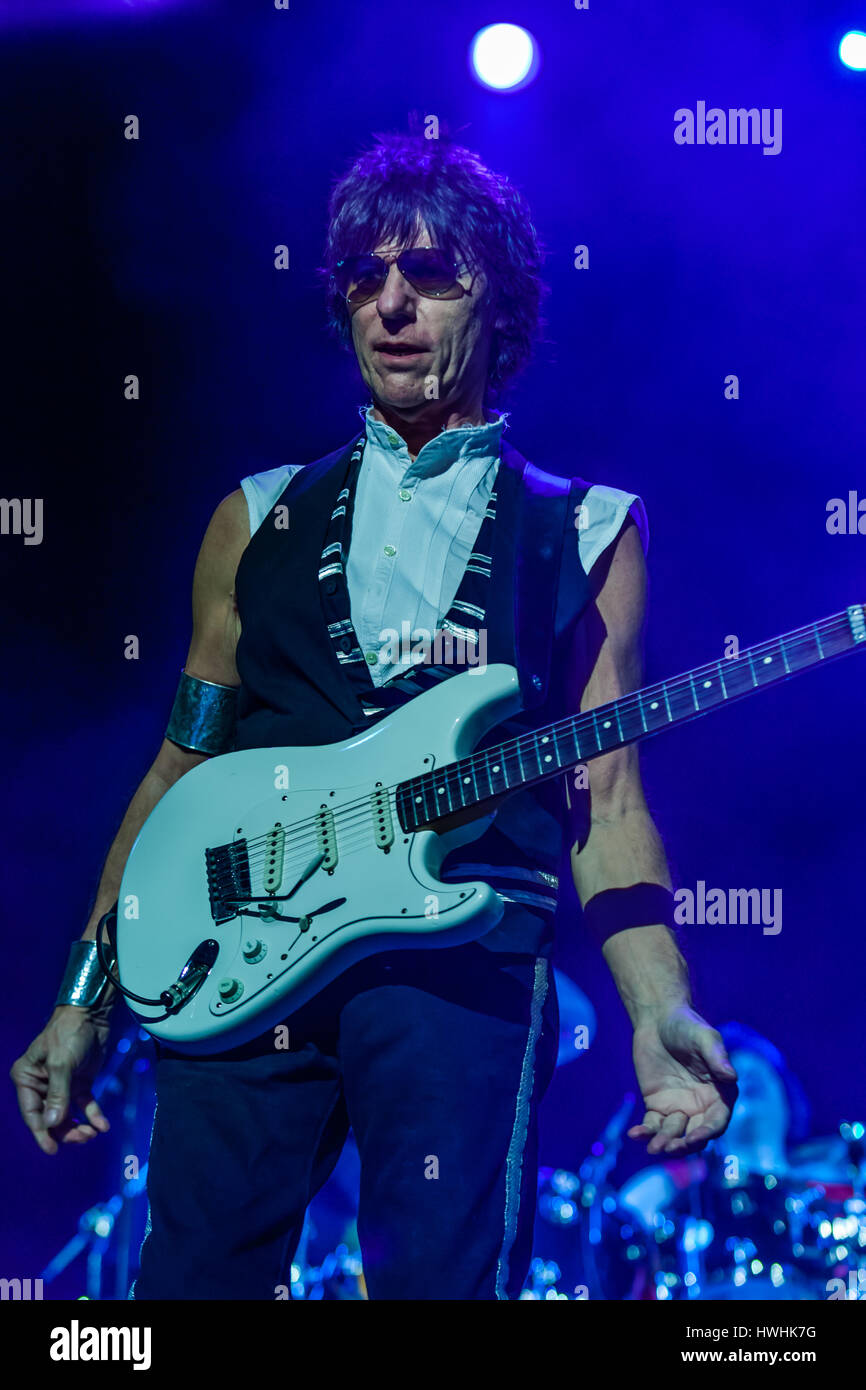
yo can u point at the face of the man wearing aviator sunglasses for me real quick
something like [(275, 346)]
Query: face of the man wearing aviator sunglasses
[(451, 340)]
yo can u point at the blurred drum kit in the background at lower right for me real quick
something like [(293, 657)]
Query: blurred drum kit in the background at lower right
[(689, 1231)]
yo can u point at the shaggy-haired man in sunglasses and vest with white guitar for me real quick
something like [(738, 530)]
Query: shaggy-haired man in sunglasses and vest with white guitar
[(437, 1058)]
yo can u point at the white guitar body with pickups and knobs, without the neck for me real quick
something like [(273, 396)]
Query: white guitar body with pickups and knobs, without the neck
[(266, 817)]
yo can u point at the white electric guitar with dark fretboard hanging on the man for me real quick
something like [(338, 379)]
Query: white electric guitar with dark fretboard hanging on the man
[(262, 875)]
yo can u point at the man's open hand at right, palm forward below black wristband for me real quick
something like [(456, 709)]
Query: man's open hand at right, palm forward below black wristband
[(687, 1082)]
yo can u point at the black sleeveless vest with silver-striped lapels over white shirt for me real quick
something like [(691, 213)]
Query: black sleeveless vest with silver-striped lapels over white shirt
[(304, 680)]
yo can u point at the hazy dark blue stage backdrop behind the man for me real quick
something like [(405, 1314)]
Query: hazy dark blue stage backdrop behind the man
[(156, 258)]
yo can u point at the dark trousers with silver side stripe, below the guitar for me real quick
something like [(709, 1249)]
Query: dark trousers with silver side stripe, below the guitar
[(437, 1060)]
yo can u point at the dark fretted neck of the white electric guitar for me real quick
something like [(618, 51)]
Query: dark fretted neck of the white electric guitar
[(547, 753)]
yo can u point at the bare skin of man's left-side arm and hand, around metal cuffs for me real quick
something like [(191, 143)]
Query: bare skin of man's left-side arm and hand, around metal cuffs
[(59, 1068)]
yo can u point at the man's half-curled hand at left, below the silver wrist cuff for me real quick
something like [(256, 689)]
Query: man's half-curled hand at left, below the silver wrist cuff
[(56, 1075)]
